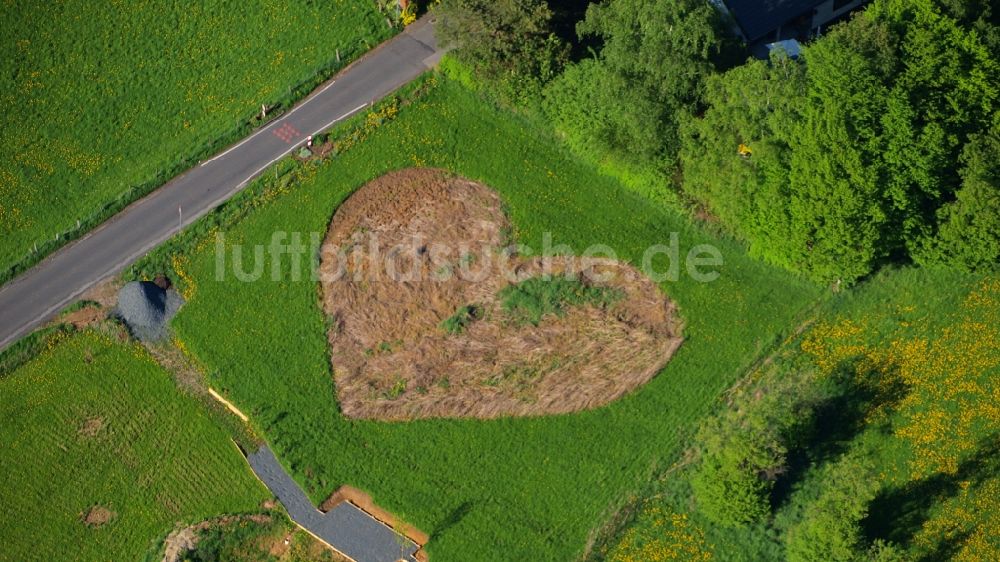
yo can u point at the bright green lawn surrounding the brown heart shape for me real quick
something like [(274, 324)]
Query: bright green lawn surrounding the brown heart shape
[(511, 489)]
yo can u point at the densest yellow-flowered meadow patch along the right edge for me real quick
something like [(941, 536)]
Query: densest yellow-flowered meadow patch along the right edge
[(940, 389)]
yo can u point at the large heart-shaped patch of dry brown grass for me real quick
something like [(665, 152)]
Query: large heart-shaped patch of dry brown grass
[(432, 315)]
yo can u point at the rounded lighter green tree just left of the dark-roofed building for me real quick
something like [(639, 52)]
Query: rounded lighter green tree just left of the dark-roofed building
[(627, 101)]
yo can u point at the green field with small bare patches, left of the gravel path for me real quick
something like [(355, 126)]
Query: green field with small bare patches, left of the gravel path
[(93, 422)]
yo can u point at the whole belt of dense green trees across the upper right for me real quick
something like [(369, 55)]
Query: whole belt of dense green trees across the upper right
[(879, 144)]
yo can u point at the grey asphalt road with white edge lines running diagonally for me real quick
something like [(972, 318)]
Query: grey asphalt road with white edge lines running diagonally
[(38, 294)]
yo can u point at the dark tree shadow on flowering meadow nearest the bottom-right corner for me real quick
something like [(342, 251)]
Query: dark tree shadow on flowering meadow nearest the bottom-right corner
[(899, 513)]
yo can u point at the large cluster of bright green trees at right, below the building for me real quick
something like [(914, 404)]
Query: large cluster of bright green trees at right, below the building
[(872, 148)]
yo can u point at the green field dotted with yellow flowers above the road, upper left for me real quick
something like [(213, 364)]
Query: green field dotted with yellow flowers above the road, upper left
[(99, 99)]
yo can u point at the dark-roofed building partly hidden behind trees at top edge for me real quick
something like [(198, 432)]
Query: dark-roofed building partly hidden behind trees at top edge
[(769, 21)]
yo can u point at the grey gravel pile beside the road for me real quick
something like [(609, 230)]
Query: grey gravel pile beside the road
[(146, 308)]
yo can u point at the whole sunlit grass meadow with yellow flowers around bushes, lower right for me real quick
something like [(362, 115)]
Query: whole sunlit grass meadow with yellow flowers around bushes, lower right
[(934, 447)]
